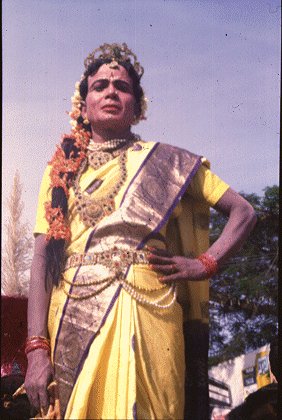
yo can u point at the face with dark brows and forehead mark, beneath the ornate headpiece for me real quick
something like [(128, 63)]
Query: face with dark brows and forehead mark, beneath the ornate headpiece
[(110, 101)]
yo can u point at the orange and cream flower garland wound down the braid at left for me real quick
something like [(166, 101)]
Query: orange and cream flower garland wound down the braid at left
[(61, 167)]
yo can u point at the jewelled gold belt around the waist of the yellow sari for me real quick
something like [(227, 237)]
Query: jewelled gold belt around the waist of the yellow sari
[(115, 259)]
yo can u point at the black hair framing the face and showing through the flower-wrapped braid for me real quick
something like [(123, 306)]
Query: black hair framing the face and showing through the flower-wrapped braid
[(56, 247)]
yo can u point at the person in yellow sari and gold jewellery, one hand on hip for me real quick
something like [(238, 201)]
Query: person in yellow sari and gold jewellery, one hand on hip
[(119, 291)]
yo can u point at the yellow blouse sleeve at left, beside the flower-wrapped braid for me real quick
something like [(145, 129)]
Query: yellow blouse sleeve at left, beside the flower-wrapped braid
[(41, 224)]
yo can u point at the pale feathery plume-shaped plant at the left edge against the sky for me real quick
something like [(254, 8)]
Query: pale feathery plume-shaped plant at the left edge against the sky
[(16, 257)]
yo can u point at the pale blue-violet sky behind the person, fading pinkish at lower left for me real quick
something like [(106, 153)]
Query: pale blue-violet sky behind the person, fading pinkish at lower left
[(212, 79)]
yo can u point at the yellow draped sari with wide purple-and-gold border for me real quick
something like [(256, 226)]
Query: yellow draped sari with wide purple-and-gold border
[(115, 357)]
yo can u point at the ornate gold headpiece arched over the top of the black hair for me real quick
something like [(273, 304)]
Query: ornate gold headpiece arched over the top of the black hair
[(117, 53)]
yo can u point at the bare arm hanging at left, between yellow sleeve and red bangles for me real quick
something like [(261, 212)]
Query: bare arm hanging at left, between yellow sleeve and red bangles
[(39, 291)]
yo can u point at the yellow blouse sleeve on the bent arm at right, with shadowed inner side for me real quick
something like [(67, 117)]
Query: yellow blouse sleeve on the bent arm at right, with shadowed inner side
[(206, 186)]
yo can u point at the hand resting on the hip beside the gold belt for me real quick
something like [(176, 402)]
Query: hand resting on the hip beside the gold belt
[(176, 268)]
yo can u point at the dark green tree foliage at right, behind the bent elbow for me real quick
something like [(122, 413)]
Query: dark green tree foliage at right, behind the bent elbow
[(243, 301)]
